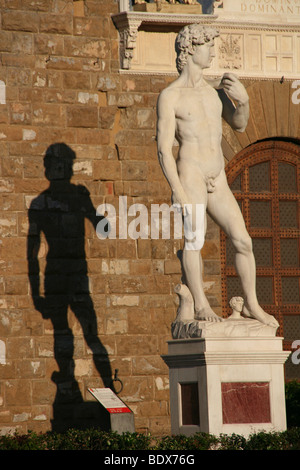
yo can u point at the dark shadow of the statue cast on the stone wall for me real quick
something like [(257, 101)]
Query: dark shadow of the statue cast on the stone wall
[(58, 215)]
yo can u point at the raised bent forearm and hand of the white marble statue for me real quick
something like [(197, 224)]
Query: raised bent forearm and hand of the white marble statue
[(235, 102)]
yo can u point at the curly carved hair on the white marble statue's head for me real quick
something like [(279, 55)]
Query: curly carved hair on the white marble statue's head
[(189, 38)]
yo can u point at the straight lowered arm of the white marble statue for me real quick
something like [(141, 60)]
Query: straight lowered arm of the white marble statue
[(166, 125)]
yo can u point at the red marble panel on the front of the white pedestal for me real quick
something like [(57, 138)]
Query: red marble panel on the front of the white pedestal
[(246, 402)]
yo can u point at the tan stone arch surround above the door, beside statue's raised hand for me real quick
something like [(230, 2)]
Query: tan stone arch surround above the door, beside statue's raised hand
[(272, 115)]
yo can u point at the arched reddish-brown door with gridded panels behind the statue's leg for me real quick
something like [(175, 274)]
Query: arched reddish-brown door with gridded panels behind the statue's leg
[(265, 179)]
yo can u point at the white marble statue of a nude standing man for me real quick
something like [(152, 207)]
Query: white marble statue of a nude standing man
[(191, 110)]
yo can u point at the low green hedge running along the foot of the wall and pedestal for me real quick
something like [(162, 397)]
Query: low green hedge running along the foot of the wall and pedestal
[(94, 439)]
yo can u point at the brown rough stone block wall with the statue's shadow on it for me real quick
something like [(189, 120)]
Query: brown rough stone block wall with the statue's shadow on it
[(74, 308)]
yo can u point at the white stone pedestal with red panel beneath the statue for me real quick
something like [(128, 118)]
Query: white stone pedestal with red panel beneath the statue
[(228, 380)]
